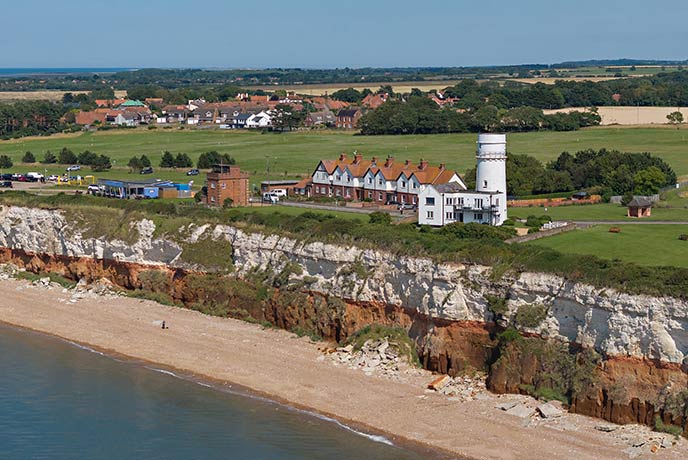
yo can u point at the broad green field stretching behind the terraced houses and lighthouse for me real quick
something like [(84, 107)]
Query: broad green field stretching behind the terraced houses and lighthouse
[(297, 154)]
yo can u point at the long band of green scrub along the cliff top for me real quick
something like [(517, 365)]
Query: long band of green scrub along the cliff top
[(454, 243)]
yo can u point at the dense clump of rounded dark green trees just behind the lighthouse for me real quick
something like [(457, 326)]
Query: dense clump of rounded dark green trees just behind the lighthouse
[(608, 172)]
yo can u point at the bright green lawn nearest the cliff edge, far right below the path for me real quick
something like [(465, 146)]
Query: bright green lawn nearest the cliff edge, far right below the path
[(642, 244)]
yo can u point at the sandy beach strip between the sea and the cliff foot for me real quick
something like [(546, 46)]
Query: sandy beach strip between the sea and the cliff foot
[(277, 364)]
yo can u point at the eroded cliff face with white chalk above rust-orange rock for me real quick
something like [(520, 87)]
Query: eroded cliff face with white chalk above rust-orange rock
[(449, 309)]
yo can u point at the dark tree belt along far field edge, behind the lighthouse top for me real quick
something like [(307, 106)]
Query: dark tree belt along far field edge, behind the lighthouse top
[(420, 115)]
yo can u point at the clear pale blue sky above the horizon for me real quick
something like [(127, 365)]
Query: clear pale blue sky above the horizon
[(329, 34)]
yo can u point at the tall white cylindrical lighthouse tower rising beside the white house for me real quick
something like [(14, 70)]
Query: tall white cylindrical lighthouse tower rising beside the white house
[(491, 173)]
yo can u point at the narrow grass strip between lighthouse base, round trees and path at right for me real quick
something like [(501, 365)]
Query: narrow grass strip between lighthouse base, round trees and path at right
[(599, 212)]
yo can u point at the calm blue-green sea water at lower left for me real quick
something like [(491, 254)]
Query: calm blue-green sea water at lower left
[(58, 401)]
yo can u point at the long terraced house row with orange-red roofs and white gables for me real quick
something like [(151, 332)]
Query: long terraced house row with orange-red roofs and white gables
[(382, 182)]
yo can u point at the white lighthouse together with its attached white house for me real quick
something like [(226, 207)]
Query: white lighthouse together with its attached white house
[(441, 204)]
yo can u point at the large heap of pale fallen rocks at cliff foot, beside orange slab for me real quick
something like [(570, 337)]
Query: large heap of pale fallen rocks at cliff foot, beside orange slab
[(375, 357)]
